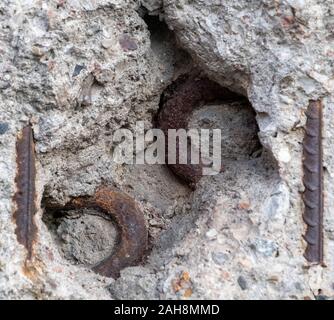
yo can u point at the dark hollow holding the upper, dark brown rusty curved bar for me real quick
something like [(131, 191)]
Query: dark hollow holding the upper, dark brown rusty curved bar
[(195, 102)]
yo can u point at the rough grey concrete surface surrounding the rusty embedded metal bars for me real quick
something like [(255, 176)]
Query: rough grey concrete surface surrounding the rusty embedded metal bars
[(80, 69)]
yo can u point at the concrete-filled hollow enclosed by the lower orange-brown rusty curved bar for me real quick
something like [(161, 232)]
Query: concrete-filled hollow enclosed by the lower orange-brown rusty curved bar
[(83, 236)]
